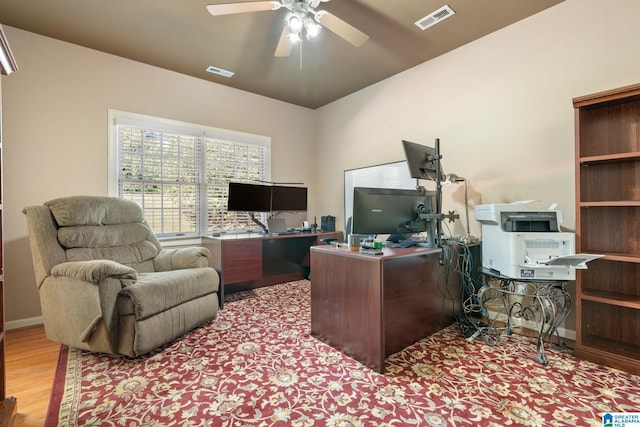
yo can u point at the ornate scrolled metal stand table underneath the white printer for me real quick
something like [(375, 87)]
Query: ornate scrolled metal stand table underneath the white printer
[(547, 303)]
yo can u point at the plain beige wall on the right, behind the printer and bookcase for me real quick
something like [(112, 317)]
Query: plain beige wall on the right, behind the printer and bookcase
[(501, 107)]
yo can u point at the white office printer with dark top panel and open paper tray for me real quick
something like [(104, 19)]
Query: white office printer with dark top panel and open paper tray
[(527, 244)]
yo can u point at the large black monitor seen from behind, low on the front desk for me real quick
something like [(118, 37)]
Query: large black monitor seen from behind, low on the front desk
[(391, 211)]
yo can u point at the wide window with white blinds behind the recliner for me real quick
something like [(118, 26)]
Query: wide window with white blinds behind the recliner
[(179, 172)]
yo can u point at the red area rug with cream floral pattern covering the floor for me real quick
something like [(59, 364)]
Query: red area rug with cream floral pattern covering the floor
[(257, 365)]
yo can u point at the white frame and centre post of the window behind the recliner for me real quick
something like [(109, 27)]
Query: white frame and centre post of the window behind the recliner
[(174, 126)]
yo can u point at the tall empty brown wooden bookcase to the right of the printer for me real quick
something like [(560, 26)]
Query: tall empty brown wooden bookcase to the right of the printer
[(607, 135)]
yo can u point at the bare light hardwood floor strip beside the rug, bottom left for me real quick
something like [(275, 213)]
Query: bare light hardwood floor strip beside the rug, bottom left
[(31, 361)]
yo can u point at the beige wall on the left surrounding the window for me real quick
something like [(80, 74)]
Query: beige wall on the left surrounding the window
[(55, 129)]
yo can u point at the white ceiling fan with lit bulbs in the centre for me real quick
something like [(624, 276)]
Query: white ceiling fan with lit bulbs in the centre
[(302, 20)]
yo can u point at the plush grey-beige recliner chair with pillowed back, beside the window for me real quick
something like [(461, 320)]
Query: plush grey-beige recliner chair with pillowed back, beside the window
[(105, 283)]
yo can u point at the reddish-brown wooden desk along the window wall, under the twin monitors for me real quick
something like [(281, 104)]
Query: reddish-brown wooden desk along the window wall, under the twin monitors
[(248, 261)]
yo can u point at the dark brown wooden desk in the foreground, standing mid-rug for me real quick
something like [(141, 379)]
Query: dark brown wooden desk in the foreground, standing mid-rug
[(371, 306)]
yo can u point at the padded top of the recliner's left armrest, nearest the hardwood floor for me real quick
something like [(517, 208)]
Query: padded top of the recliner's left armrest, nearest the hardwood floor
[(94, 271)]
